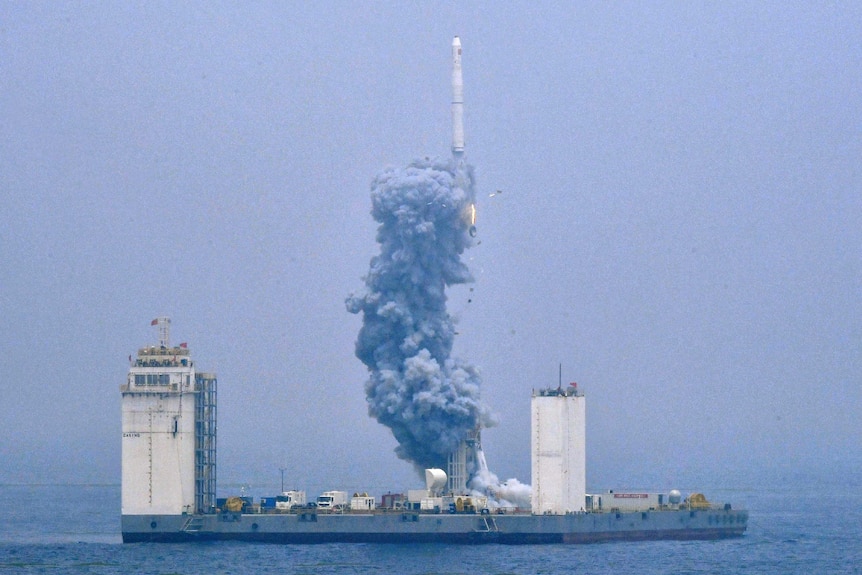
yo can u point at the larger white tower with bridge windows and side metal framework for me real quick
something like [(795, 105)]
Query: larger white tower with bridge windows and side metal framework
[(169, 432)]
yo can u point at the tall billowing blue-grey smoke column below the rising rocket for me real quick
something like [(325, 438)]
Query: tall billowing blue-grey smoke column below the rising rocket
[(429, 400)]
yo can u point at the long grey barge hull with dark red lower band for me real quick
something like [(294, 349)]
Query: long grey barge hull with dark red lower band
[(431, 528)]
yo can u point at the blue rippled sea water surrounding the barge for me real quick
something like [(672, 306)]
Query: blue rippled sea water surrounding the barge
[(75, 529)]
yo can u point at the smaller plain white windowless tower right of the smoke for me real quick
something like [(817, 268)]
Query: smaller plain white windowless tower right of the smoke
[(558, 426)]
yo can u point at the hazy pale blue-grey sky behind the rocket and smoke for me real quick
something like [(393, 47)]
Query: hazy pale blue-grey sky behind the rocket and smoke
[(678, 227)]
